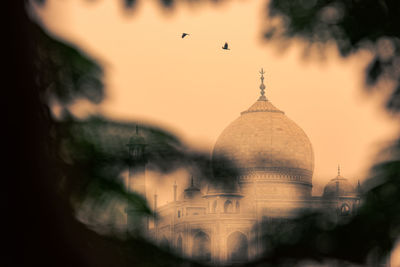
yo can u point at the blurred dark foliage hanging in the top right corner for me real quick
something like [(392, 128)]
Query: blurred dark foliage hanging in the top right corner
[(352, 25)]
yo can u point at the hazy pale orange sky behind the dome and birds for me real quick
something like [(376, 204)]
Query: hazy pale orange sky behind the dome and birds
[(195, 89)]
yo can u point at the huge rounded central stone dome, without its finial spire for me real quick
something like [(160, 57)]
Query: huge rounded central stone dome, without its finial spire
[(264, 139)]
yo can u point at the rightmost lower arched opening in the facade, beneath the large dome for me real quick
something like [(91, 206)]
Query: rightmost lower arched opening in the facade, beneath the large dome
[(237, 247)]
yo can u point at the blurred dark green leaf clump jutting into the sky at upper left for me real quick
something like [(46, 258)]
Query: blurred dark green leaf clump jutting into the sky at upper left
[(66, 73)]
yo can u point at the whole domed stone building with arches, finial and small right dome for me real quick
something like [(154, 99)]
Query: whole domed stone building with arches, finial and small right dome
[(273, 161)]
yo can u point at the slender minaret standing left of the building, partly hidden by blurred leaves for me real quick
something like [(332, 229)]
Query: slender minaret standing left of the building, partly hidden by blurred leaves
[(137, 221)]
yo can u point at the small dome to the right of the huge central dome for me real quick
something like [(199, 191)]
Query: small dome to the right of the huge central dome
[(339, 187)]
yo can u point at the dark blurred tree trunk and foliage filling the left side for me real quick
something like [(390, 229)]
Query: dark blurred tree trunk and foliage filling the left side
[(69, 172)]
